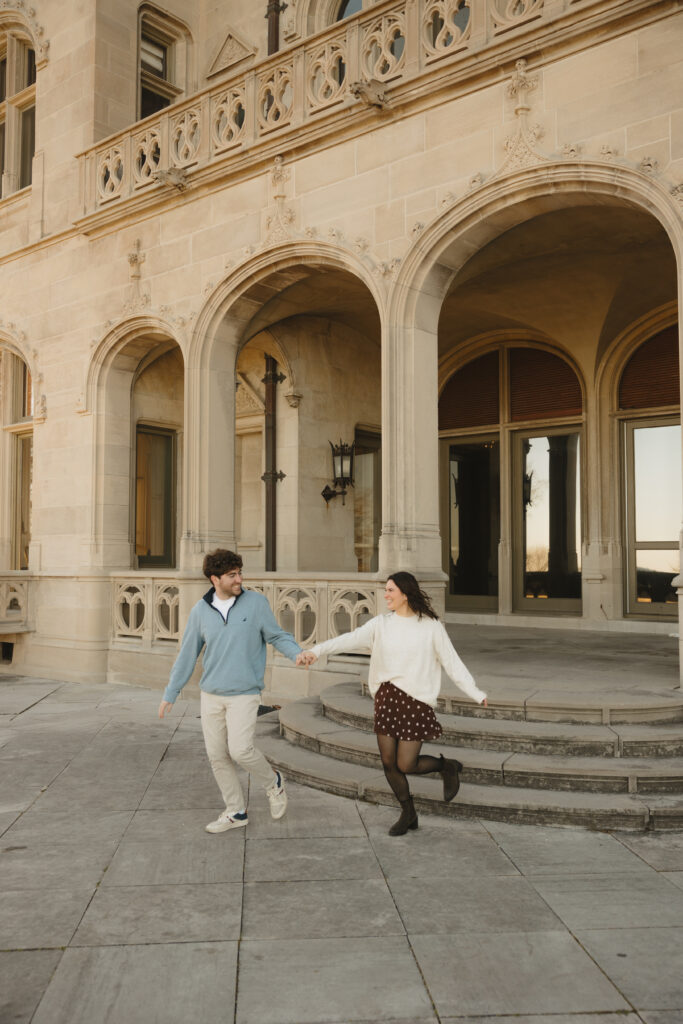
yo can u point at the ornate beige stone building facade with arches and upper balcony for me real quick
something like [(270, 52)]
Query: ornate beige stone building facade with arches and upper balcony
[(447, 234)]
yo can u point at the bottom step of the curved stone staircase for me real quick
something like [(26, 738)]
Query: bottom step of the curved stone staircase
[(504, 803)]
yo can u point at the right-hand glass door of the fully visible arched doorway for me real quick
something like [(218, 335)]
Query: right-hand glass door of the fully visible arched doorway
[(547, 523)]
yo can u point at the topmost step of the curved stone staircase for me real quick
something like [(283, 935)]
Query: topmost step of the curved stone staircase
[(531, 704)]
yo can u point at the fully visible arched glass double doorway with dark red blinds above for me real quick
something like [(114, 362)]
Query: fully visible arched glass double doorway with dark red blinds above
[(510, 425)]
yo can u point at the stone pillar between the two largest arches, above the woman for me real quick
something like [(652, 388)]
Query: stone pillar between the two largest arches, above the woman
[(410, 454)]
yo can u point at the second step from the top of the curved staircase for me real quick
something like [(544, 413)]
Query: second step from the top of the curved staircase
[(346, 705)]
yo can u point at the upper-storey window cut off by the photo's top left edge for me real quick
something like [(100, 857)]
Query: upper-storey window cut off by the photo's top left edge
[(18, 111)]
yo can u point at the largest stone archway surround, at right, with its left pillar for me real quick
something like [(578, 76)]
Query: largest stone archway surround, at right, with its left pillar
[(440, 255)]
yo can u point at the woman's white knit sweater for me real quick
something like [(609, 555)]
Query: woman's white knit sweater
[(408, 652)]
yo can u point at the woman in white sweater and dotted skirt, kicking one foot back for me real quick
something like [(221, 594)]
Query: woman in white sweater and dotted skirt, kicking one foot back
[(408, 649)]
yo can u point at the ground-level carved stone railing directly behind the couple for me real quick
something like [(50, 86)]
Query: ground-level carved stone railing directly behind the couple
[(313, 608)]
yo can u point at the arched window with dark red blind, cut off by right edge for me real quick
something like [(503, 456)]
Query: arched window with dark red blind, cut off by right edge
[(649, 406)]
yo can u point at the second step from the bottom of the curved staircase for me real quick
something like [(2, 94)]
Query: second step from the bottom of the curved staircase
[(305, 724)]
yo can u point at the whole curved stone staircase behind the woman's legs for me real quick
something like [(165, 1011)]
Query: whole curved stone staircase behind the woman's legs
[(614, 761)]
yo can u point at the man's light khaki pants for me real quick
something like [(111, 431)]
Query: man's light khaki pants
[(229, 723)]
